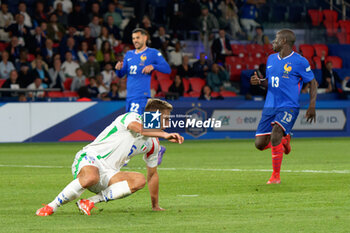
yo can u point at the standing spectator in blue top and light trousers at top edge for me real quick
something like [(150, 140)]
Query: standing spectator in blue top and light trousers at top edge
[(249, 14)]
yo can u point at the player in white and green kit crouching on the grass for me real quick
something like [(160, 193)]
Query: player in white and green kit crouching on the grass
[(97, 166)]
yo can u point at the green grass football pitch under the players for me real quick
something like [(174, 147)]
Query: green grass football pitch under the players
[(205, 186)]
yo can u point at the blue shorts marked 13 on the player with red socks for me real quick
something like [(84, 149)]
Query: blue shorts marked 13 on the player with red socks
[(285, 118)]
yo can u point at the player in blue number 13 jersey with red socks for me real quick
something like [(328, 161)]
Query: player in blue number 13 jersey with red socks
[(286, 71)]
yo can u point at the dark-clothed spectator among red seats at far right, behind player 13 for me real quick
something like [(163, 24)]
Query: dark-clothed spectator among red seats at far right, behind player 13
[(330, 78)]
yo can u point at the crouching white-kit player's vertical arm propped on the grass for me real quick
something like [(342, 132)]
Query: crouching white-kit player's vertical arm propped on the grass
[(153, 187)]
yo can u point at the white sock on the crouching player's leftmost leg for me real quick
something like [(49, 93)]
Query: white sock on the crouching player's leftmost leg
[(72, 191)]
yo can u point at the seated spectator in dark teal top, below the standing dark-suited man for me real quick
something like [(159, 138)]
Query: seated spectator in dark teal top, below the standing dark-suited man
[(217, 77)]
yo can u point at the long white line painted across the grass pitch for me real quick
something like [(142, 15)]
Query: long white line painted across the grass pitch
[(197, 169)]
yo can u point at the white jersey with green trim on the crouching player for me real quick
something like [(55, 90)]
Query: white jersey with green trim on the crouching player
[(115, 145)]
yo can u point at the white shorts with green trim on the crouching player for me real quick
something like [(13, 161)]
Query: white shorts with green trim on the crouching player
[(83, 159)]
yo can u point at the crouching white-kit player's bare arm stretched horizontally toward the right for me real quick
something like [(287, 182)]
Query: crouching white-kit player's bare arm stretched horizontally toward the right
[(172, 137)]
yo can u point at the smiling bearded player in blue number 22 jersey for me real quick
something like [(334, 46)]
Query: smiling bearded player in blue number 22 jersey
[(138, 65)]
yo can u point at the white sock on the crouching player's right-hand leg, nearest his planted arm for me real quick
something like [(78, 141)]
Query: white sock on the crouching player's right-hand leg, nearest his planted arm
[(113, 192)]
